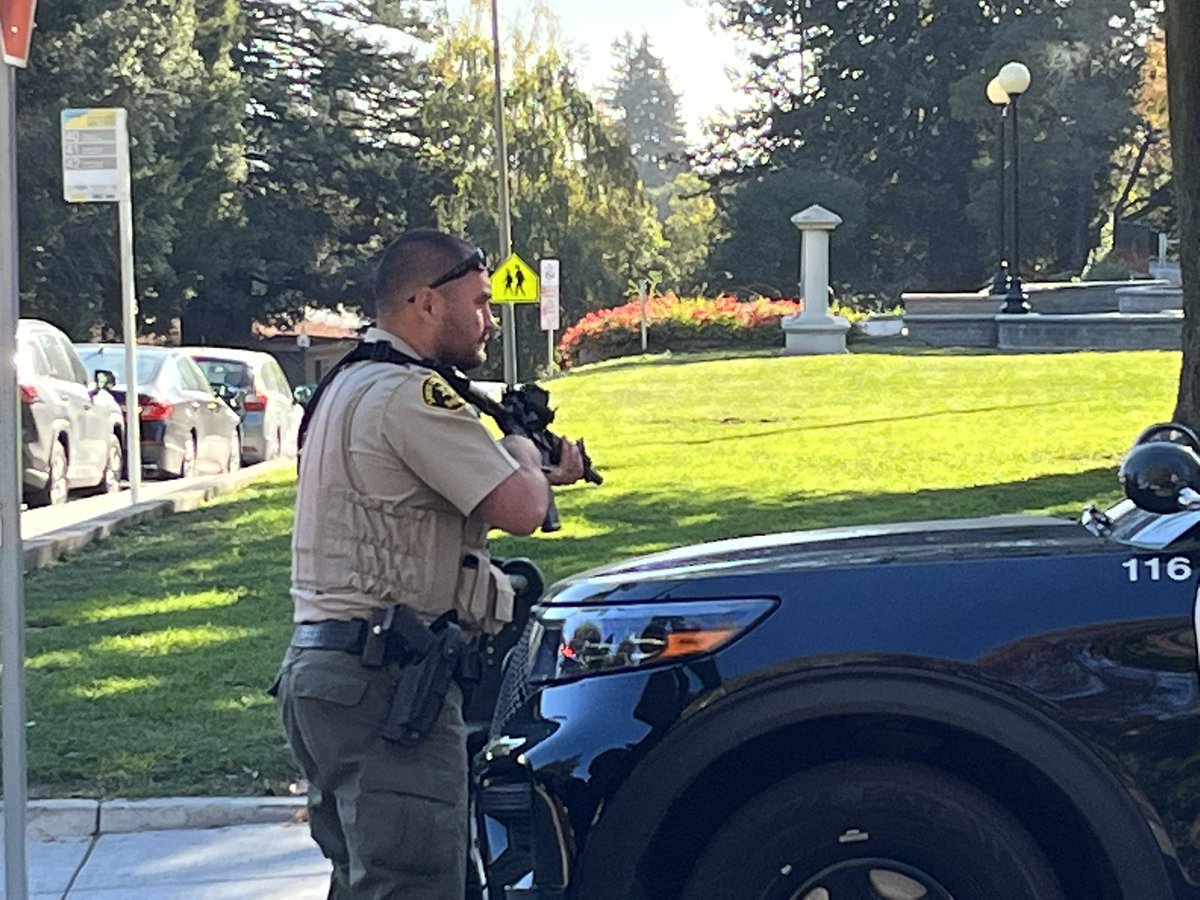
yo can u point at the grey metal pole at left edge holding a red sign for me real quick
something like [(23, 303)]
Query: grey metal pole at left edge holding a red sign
[(13, 616)]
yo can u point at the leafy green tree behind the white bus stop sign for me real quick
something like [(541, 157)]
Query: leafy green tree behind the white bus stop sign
[(167, 64)]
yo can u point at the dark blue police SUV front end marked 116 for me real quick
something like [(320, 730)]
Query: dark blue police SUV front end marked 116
[(973, 710)]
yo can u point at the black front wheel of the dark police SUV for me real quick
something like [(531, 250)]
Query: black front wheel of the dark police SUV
[(873, 831)]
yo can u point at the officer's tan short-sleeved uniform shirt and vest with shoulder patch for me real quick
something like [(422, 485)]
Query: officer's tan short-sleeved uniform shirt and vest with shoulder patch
[(394, 465)]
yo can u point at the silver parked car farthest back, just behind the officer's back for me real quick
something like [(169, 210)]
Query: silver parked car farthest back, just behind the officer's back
[(255, 386)]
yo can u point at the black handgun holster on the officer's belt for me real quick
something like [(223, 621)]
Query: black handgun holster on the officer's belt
[(433, 658)]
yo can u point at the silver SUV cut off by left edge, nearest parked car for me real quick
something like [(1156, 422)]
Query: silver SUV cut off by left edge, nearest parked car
[(73, 431)]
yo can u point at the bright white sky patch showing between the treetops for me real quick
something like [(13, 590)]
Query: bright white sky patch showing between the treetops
[(697, 57)]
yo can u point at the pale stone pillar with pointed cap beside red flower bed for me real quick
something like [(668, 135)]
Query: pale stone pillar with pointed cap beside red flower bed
[(813, 331)]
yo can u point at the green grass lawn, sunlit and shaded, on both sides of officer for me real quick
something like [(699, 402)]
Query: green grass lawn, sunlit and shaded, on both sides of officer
[(149, 653)]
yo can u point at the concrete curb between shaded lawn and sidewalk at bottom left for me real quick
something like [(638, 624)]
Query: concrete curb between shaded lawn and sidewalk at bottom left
[(61, 820)]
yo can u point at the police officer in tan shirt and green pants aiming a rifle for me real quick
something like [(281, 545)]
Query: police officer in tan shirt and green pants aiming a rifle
[(399, 485)]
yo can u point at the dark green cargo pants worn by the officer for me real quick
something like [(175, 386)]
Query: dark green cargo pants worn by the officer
[(392, 819)]
